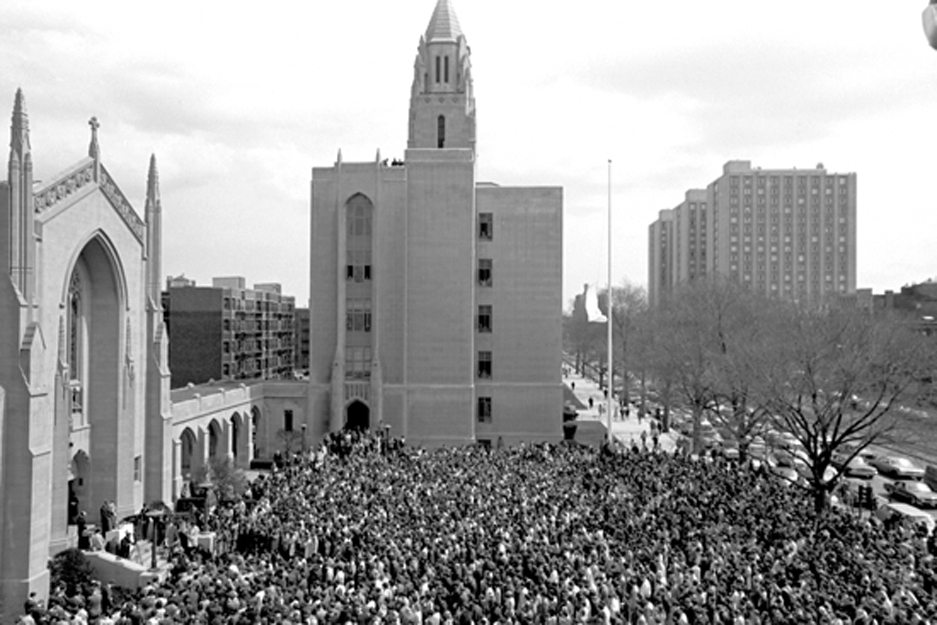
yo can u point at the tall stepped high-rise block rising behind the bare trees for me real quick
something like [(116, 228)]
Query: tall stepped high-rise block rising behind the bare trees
[(783, 232)]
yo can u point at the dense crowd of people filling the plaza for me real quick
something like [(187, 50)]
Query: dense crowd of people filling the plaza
[(368, 532)]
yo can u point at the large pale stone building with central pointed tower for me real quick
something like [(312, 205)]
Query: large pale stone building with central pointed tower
[(435, 299)]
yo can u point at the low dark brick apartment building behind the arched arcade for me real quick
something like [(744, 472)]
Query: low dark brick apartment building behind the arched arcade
[(228, 332)]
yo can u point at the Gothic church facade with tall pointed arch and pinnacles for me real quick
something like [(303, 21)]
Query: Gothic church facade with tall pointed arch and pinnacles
[(85, 413)]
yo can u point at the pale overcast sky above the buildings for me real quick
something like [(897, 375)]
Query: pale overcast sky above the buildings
[(240, 100)]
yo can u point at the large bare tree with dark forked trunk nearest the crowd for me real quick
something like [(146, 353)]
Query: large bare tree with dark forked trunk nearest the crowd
[(834, 382)]
